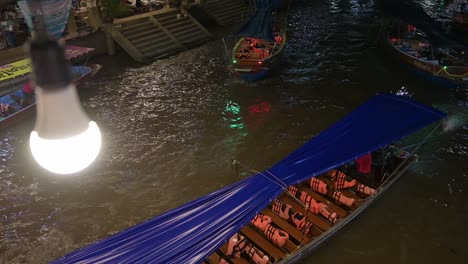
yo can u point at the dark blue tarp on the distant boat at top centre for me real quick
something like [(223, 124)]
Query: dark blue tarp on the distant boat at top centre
[(260, 24)]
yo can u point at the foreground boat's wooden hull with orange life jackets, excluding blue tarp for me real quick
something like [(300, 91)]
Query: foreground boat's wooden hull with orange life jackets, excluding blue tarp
[(306, 231)]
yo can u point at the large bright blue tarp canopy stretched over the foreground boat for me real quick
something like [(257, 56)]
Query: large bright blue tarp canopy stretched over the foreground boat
[(192, 232)]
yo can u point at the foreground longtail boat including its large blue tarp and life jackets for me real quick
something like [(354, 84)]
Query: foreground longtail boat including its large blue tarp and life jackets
[(226, 226)]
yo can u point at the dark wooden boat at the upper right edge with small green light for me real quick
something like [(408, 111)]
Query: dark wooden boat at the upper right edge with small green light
[(436, 64)]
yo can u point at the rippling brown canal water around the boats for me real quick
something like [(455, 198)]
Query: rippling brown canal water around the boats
[(172, 129)]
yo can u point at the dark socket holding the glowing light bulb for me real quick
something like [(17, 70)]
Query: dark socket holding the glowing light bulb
[(51, 71)]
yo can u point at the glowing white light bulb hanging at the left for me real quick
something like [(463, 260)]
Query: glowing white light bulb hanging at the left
[(64, 140)]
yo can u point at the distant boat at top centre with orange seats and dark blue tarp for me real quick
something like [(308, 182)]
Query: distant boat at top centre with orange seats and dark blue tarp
[(262, 41)]
